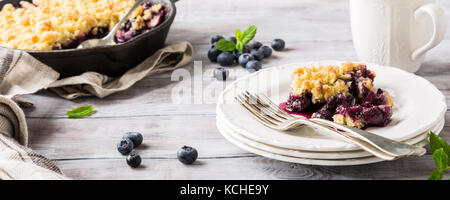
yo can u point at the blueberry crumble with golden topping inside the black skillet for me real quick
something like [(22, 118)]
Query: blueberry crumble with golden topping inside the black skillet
[(63, 24)]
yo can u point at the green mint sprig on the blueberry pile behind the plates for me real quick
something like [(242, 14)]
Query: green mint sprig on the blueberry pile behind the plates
[(242, 39)]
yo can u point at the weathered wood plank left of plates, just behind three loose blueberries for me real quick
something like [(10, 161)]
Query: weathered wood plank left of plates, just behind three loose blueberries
[(164, 135)]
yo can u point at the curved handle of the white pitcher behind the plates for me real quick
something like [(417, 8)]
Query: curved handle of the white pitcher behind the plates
[(439, 24)]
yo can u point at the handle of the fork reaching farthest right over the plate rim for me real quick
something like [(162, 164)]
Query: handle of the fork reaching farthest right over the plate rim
[(385, 145)]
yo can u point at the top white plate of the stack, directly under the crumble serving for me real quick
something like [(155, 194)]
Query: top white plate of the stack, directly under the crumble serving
[(418, 106)]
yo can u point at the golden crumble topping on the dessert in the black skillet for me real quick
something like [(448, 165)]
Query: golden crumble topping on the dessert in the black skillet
[(45, 23)]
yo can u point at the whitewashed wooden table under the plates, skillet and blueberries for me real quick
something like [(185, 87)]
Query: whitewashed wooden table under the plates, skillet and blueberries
[(312, 29)]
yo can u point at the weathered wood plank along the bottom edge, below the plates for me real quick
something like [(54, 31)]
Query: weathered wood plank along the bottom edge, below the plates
[(244, 168)]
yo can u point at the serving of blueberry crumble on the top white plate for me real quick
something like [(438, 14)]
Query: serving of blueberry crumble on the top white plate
[(343, 94)]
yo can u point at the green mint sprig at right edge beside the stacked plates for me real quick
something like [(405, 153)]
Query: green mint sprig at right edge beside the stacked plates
[(441, 156)]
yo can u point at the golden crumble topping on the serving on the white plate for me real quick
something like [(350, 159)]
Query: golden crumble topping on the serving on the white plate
[(324, 82)]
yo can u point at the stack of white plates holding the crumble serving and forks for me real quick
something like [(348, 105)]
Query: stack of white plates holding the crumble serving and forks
[(419, 107)]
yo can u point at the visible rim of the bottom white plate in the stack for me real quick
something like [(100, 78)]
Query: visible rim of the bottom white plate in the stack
[(300, 160)]
